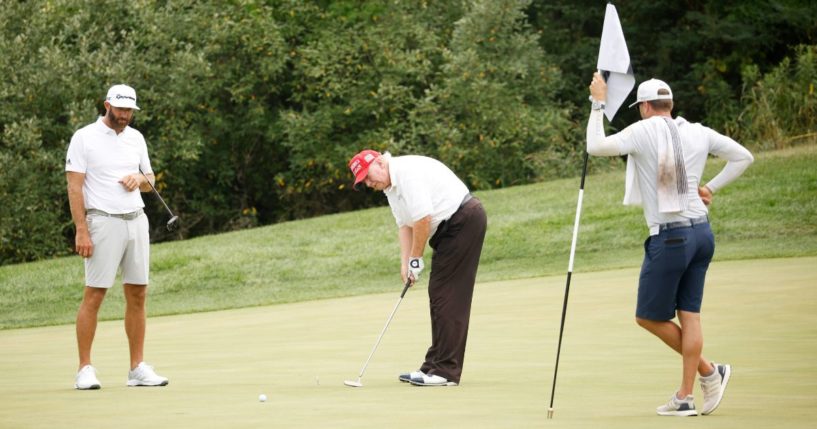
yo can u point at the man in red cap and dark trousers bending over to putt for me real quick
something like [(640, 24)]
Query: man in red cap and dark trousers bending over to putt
[(430, 204)]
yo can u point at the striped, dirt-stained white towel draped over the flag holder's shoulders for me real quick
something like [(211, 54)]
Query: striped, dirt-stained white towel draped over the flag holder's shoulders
[(671, 183)]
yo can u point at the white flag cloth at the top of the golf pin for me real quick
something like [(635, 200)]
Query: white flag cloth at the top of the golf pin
[(614, 63)]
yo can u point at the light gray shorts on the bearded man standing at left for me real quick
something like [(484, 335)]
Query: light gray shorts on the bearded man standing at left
[(118, 245)]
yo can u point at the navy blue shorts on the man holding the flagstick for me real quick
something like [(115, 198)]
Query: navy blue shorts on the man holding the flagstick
[(673, 272)]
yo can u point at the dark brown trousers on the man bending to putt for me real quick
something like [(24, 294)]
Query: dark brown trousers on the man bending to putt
[(457, 247)]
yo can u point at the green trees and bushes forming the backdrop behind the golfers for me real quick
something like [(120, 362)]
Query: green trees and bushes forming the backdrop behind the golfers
[(252, 108)]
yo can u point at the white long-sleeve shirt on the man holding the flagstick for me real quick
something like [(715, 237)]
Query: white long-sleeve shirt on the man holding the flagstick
[(638, 142)]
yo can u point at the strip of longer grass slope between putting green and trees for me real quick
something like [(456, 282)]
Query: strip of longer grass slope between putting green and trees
[(770, 212)]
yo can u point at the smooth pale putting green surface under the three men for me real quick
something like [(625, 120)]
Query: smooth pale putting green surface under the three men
[(758, 315)]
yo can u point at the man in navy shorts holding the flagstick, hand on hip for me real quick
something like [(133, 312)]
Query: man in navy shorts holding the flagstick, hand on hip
[(666, 160)]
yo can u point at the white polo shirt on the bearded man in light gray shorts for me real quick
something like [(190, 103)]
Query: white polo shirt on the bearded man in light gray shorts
[(105, 158)]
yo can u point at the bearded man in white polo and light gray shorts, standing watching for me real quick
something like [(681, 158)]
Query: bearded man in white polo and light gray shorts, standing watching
[(102, 167)]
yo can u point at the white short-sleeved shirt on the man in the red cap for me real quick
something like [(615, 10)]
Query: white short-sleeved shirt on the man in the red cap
[(422, 186)]
